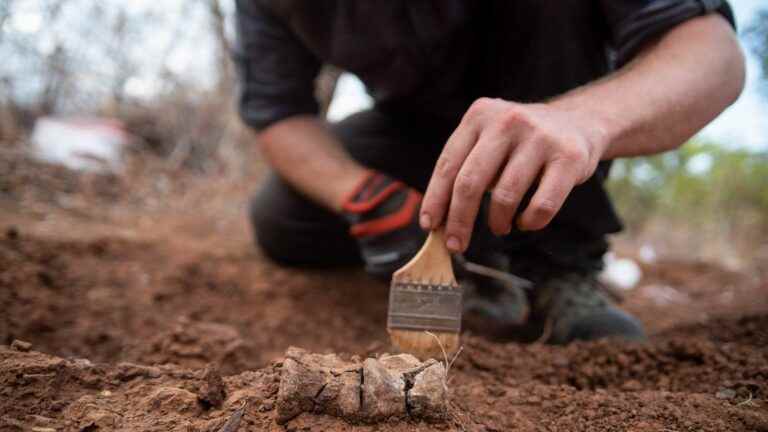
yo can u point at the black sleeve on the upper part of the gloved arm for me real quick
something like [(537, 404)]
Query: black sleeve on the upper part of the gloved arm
[(275, 71)]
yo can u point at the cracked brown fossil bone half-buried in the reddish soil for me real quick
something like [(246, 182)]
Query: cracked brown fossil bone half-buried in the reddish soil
[(369, 391)]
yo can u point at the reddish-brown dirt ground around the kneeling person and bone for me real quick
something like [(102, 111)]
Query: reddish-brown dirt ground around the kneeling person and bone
[(133, 294)]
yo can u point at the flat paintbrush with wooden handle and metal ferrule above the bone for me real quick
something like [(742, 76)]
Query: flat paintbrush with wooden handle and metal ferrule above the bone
[(425, 307)]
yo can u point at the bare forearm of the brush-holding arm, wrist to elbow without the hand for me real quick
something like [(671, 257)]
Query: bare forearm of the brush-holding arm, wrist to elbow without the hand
[(669, 92)]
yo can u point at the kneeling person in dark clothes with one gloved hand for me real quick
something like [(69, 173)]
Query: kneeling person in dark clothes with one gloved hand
[(497, 120)]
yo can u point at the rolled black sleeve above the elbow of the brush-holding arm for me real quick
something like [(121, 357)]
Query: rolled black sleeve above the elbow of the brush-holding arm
[(633, 22)]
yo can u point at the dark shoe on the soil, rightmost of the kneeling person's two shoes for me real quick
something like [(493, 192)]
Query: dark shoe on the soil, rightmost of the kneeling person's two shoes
[(574, 307)]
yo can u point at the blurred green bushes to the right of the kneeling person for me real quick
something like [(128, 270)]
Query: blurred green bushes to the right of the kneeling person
[(700, 182)]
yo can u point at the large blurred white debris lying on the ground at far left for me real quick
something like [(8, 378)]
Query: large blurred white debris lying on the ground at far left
[(87, 144)]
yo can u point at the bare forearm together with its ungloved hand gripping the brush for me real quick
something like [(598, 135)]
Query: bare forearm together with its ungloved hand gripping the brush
[(666, 94)]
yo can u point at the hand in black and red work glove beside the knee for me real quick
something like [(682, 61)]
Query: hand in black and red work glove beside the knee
[(383, 217)]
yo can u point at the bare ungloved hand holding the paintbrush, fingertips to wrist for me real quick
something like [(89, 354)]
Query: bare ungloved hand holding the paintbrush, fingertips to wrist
[(506, 147)]
